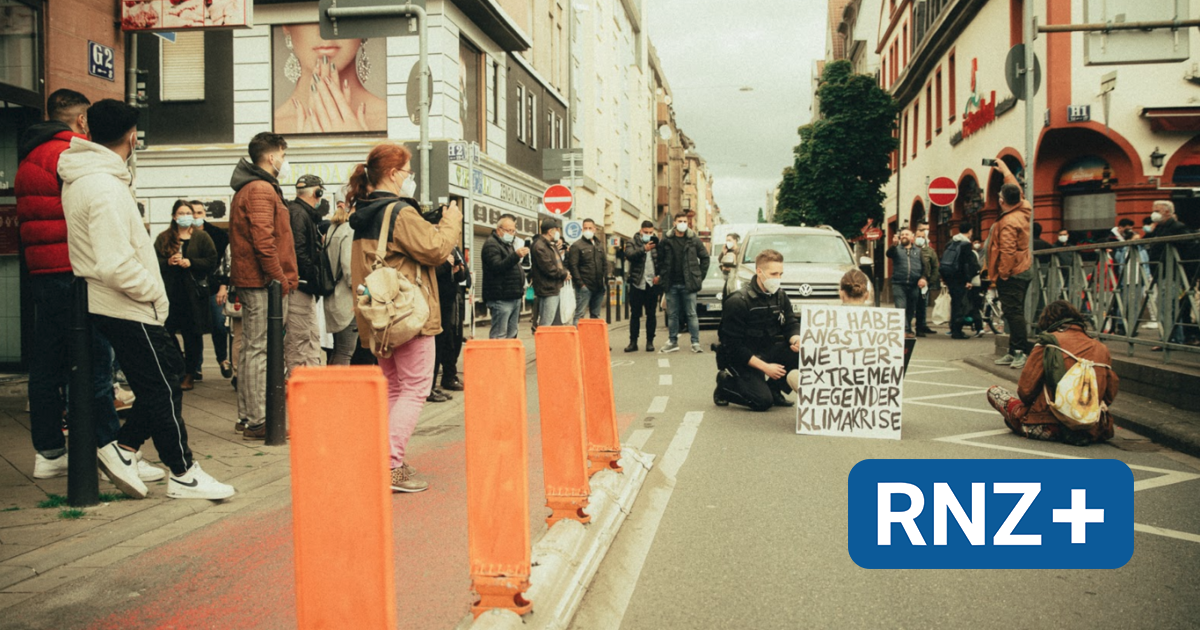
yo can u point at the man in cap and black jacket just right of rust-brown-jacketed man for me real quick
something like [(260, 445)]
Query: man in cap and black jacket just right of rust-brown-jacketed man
[(302, 345)]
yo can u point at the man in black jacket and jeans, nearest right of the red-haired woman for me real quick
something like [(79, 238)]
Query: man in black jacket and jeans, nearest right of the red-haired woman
[(503, 279)]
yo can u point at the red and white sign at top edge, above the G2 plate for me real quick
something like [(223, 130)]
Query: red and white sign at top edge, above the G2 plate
[(187, 15)]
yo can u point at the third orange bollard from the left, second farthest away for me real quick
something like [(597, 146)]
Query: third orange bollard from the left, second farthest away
[(565, 442)]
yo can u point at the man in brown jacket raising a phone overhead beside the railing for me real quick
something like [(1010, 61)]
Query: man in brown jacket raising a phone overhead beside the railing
[(1010, 265)]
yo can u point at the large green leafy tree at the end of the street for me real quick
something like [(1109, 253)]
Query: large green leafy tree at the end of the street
[(843, 160)]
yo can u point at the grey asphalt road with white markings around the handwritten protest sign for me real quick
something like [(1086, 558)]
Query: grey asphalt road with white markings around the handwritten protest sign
[(742, 523)]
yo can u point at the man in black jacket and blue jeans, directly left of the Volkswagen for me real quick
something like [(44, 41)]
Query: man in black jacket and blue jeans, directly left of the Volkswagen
[(683, 262)]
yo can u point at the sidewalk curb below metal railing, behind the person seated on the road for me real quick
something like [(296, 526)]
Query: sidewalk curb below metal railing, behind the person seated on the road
[(1163, 424)]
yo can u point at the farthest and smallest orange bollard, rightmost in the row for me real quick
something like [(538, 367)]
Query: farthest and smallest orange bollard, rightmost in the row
[(604, 442)]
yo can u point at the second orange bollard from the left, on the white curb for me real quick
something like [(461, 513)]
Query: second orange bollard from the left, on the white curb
[(497, 475)]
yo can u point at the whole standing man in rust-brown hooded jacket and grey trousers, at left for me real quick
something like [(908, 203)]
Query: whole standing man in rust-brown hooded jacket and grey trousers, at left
[(262, 251)]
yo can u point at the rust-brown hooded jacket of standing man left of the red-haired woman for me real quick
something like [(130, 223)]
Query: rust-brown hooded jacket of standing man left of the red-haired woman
[(261, 242)]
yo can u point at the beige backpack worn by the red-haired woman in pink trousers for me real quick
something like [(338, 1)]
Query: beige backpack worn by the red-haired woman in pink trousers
[(394, 307)]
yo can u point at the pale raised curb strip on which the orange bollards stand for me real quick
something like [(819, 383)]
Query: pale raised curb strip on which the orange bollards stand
[(568, 556)]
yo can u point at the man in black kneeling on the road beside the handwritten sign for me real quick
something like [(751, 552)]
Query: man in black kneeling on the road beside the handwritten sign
[(760, 341)]
